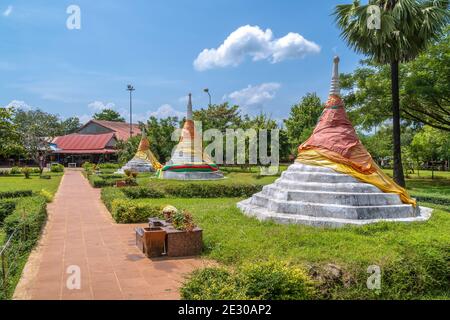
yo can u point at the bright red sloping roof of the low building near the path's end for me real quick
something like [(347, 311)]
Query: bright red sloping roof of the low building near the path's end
[(84, 143)]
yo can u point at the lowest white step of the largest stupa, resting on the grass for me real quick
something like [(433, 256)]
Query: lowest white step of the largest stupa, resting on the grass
[(262, 214)]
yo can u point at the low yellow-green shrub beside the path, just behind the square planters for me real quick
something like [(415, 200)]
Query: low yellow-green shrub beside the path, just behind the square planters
[(127, 211)]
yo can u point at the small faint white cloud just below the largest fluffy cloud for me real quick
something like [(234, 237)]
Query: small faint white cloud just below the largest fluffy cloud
[(254, 95)]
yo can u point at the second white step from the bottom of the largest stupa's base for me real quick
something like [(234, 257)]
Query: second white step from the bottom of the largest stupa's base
[(332, 210)]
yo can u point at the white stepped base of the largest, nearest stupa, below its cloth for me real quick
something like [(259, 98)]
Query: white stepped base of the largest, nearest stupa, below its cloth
[(319, 196)]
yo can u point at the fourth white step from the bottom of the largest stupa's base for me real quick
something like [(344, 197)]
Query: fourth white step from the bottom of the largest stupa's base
[(324, 186)]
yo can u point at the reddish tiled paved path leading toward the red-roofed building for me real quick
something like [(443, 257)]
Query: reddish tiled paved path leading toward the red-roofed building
[(81, 232)]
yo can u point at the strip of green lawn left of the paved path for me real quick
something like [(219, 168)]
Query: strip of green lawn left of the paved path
[(35, 183)]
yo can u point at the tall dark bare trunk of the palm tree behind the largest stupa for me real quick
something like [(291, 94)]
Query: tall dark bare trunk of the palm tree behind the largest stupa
[(399, 177)]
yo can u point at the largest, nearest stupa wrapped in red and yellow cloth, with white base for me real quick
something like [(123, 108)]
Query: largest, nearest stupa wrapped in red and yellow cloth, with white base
[(331, 189)]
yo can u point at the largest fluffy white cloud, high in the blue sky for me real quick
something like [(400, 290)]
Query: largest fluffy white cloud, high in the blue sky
[(253, 42)]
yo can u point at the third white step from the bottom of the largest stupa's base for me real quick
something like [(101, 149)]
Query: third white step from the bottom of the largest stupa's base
[(332, 197)]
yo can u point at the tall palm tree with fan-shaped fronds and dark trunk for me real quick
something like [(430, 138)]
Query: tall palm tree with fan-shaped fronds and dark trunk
[(407, 28)]
